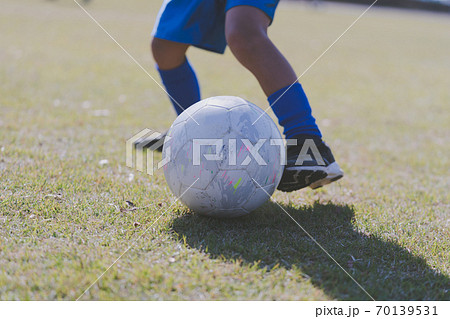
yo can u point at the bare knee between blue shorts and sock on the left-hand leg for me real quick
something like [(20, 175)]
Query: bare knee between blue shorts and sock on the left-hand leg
[(168, 54)]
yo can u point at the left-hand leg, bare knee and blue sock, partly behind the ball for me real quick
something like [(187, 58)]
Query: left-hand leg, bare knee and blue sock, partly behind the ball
[(176, 73)]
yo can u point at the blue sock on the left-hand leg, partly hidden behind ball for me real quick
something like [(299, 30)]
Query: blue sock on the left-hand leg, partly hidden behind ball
[(181, 83)]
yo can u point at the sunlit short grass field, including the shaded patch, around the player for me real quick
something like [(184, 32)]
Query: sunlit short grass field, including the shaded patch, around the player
[(69, 98)]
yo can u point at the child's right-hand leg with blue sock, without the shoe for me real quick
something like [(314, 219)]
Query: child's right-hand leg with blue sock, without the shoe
[(246, 33)]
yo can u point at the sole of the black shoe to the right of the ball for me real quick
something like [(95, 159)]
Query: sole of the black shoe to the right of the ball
[(295, 178)]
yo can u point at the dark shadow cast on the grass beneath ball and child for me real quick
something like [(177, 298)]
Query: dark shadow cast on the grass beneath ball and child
[(270, 237)]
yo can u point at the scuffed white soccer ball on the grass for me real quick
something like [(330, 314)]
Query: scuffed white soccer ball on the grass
[(223, 157)]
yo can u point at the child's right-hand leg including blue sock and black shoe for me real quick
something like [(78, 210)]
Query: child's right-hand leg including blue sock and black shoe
[(246, 32)]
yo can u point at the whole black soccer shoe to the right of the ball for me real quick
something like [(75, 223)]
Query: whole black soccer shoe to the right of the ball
[(309, 163)]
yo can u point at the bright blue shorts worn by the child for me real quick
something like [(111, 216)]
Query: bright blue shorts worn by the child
[(201, 23)]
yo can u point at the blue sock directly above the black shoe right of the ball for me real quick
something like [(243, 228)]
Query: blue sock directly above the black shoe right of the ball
[(294, 112)]
